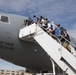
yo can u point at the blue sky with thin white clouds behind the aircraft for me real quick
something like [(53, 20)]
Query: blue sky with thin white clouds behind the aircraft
[(62, 12)]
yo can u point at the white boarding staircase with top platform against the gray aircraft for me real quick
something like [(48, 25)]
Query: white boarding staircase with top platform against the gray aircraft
[(62, 57)]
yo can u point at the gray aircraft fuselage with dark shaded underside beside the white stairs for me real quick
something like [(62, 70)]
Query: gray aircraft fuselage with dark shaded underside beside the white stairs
[(23, 53)]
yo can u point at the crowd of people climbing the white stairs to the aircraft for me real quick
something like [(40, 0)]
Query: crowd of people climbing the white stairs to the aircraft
[(51, 28)]
